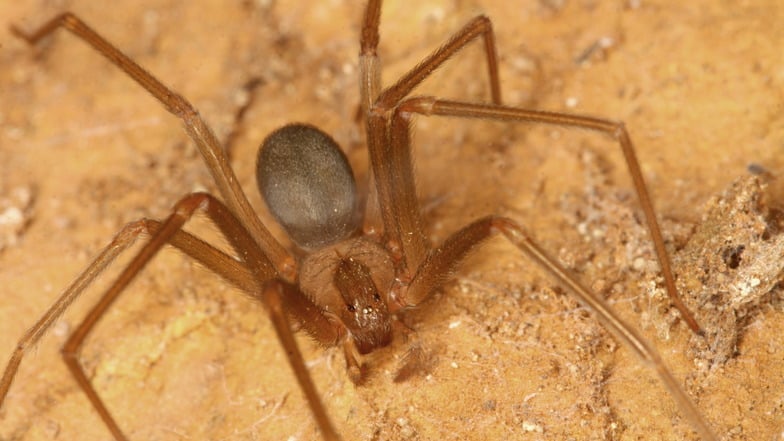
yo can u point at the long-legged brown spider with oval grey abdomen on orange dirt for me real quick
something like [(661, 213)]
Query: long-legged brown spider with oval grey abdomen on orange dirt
[(343, 281)]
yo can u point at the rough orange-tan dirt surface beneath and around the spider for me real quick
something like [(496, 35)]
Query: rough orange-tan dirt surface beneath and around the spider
[(504, 353)]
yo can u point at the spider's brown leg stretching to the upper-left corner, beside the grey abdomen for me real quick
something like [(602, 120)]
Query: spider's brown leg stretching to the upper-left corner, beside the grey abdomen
[(208, 145)]
